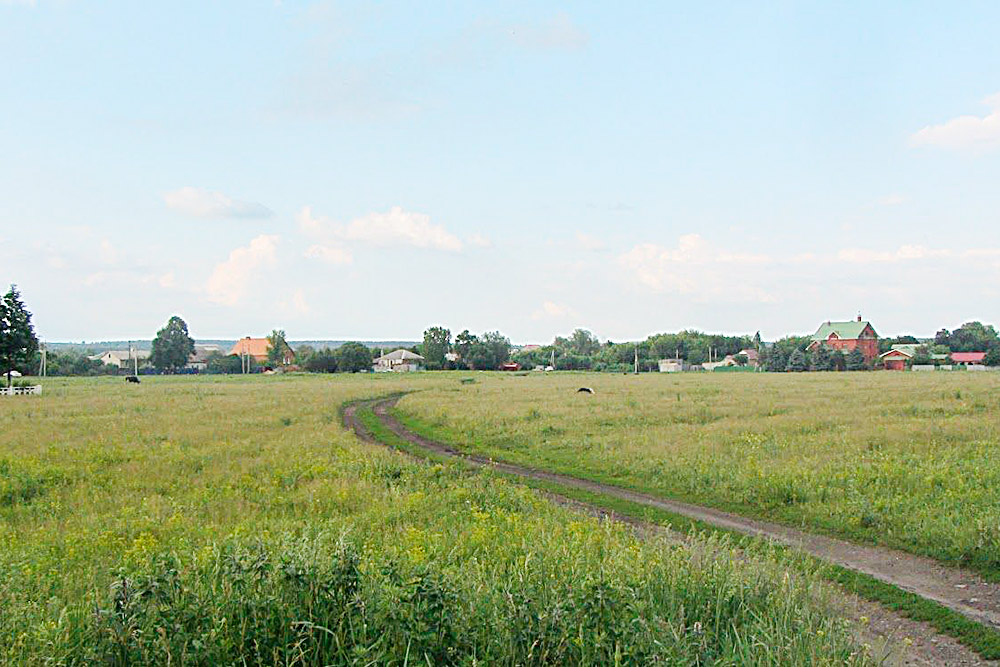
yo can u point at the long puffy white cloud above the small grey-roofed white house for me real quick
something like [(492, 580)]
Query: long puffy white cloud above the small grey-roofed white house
[(395, 227)]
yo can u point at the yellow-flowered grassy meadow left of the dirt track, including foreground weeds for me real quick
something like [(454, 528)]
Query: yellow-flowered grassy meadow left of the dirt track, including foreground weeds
[(233, 521)]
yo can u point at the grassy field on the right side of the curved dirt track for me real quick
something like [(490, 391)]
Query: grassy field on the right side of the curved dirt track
[(905, 460)]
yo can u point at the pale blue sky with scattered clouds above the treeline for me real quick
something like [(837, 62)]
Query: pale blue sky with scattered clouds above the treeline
[(366, 170)]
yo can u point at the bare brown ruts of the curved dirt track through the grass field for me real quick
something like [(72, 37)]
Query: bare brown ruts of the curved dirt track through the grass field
[(960, 590)]
